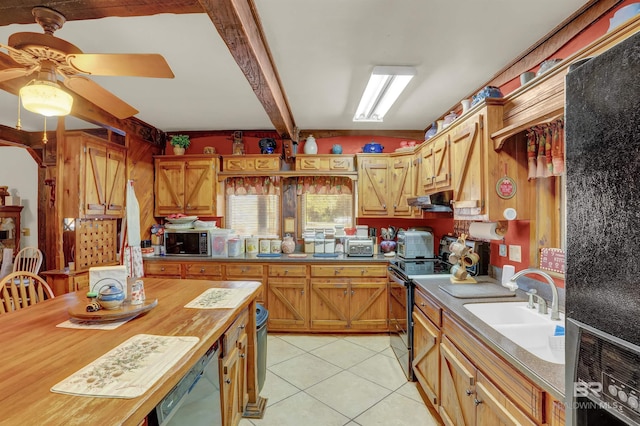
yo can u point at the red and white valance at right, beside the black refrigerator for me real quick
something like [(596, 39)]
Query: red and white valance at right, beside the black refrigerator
[(545, 150)]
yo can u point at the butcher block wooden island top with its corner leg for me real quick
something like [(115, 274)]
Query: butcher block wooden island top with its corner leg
[(36, 355)]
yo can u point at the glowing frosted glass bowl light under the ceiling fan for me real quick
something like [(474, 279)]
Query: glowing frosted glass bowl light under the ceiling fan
[(46, 98)]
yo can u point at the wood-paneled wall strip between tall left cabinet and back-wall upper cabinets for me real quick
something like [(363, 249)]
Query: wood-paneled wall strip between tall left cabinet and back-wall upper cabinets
[(140, 169)]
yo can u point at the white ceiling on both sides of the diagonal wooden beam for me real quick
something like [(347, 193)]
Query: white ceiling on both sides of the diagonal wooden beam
[(324, 52)]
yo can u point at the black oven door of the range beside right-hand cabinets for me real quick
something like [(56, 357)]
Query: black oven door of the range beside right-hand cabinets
[(400, 305)]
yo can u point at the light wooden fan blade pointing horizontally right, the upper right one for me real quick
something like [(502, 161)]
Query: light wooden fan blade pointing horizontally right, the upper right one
[(125, 64)]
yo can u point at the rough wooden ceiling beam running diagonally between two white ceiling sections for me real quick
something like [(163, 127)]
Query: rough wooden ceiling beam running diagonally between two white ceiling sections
[(238, 24)]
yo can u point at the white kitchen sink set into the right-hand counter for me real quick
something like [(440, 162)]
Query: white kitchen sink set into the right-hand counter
[(532, 331)]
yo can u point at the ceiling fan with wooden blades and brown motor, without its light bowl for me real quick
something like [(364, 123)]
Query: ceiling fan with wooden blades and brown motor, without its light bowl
[(50, 56)]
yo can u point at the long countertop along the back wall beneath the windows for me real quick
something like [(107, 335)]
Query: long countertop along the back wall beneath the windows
[(284, 258)]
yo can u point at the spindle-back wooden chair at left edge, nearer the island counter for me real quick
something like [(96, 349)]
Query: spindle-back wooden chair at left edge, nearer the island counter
[(22, 289)]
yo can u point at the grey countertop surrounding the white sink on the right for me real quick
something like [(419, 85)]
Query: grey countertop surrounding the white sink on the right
[(547, 375)]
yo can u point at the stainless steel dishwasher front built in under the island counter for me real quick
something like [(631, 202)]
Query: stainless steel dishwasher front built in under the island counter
[(195, 400)]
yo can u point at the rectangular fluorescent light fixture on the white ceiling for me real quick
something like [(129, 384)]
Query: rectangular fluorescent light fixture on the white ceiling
[(383, 89)]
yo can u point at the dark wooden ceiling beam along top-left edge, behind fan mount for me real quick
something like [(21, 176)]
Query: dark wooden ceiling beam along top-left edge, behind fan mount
[(19, 11)]
